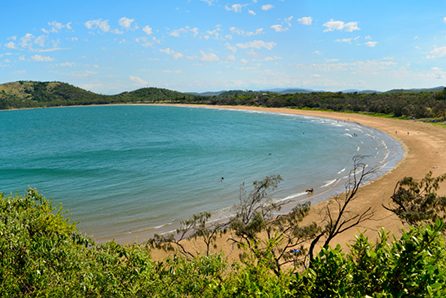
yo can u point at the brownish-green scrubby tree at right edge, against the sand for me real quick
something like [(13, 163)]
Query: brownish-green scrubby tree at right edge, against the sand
[(417, 202)]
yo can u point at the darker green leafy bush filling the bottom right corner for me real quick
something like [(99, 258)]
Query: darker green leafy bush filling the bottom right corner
[(413, 266)]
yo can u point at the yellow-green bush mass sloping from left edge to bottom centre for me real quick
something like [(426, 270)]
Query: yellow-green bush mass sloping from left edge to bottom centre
[(43, 254)]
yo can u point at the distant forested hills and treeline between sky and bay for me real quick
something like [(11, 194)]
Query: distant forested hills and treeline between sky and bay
[(413, 103)]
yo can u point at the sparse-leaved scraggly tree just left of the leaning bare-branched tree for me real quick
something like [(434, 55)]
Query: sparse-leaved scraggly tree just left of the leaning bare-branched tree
[(268, 238)]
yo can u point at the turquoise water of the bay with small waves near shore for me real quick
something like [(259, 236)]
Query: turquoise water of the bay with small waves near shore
[(127, 171)]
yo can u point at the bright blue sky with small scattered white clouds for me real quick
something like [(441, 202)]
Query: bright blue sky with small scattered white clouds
[(110, 46)]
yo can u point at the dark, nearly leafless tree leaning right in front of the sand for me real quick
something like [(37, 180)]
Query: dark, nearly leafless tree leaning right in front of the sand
[(337, 215)]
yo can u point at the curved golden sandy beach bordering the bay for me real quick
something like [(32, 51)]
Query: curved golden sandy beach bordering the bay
[(424, 146)]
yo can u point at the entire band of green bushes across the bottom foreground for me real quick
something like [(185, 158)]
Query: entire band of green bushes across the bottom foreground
[(43, 254)]
